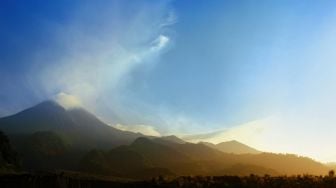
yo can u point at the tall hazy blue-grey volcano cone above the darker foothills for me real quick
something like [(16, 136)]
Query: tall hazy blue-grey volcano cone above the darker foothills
[(81, 128)]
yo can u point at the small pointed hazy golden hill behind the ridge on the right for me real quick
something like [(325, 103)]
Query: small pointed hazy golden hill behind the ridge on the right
[(232, 147)]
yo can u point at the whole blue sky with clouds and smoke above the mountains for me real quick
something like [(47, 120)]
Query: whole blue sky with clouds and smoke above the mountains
[(260, 72)]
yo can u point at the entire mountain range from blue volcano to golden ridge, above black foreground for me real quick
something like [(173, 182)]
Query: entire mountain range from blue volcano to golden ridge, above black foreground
[(49, 137)]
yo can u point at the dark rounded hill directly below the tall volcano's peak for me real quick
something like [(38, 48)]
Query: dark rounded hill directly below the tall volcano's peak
[(46, 150)]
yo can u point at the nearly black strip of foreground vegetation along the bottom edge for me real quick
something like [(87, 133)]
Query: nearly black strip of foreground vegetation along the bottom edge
[(64, 180)]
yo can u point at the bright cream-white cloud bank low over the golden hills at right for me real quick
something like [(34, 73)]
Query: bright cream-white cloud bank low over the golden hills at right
[(278, 134)]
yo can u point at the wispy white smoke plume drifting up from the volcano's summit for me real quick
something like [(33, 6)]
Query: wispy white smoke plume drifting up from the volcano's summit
[(94, 61)]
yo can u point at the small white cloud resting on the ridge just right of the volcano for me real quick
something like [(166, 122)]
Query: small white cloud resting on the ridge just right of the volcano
[(144, 129)]
